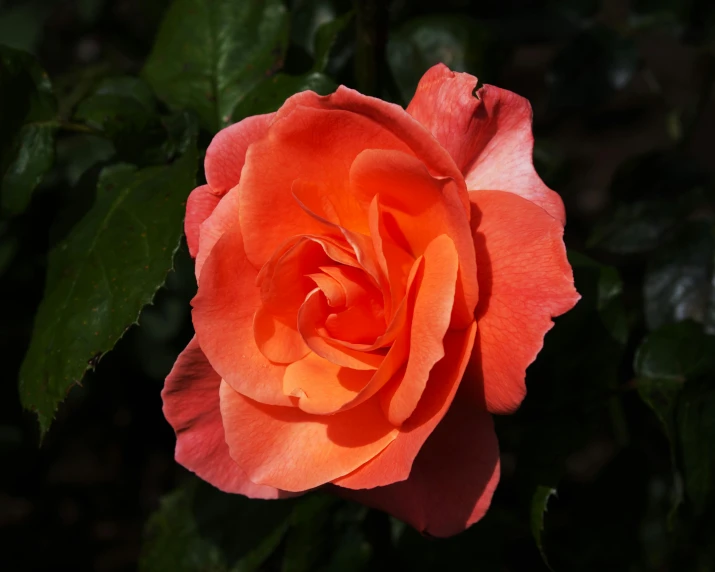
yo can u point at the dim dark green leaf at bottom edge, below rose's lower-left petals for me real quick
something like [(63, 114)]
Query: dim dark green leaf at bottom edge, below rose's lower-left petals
[(198, 527)]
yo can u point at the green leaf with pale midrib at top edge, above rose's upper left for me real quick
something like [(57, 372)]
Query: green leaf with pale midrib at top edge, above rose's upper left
[(209, 55)]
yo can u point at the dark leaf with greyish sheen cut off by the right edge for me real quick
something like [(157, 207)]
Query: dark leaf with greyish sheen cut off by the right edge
[(678, 280)]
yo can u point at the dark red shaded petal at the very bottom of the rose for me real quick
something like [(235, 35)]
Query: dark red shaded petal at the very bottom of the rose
[(453, 478)]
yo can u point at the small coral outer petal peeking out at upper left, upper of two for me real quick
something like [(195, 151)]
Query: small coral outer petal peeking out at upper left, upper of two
[(226, 154)]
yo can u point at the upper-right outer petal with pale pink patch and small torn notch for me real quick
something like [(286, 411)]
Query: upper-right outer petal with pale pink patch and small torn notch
[(488, 134)]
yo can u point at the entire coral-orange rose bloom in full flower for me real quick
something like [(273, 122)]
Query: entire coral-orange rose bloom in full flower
[(372, 284)]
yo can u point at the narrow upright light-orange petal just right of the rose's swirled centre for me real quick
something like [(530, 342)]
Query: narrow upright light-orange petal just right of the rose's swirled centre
[(430, 321)]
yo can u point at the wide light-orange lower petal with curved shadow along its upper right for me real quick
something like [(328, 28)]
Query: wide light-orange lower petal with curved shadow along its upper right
[(300, 451)]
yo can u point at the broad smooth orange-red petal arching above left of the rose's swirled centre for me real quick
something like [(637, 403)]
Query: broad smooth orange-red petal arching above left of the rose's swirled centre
[(269, 213)]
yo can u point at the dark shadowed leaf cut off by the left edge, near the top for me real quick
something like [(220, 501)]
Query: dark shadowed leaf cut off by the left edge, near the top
[(27, 133)]
